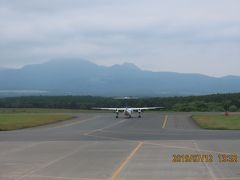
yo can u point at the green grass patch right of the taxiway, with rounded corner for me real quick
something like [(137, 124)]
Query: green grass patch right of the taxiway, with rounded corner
[(231, 122)]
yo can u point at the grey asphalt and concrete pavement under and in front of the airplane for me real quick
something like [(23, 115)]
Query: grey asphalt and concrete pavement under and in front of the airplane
[(97, 146)]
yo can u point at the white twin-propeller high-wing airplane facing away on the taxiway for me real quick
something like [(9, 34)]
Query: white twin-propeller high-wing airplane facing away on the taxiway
[(127, 111)]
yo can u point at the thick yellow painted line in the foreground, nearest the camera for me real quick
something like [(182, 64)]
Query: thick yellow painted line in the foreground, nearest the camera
[(124, 163)]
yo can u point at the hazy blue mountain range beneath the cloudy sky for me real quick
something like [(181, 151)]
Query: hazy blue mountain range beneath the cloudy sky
[(81, 77)]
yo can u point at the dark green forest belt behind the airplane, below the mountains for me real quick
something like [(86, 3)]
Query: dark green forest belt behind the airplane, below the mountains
[(216, 102)]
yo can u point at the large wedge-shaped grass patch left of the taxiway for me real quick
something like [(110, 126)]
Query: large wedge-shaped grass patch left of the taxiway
[(19, 121)]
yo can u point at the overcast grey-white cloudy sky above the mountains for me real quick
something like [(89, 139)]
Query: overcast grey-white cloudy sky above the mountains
[(190, 36)]
